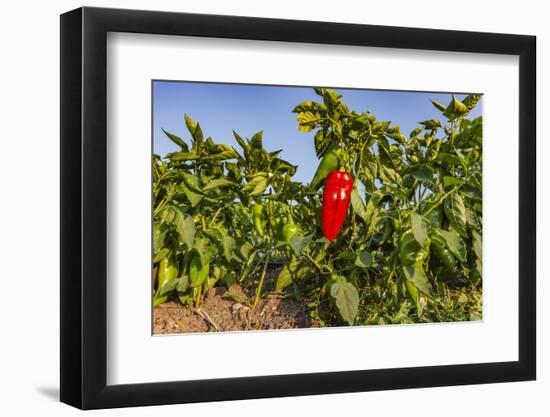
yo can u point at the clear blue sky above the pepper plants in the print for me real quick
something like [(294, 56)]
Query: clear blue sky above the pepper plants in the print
[(221, 108)]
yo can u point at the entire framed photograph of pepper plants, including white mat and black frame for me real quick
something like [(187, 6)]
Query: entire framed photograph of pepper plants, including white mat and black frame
[(257, 208)]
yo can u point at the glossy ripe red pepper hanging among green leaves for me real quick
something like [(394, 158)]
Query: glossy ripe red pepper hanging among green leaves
[(336, 196)]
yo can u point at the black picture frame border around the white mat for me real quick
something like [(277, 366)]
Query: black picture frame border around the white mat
[(84, 207)]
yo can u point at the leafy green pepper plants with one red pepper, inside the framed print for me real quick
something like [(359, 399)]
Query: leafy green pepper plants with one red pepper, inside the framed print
[(388, 230)]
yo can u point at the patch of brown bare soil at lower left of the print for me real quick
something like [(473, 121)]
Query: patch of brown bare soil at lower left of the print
[(221, 312)]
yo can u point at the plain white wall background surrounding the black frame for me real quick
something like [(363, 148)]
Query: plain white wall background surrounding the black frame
[(29, 211)]
